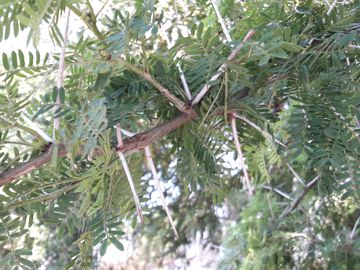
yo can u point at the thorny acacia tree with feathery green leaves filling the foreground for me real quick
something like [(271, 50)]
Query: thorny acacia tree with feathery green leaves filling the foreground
[(147, 92)]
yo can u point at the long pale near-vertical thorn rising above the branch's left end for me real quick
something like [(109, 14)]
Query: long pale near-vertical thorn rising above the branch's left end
[(60, 79)]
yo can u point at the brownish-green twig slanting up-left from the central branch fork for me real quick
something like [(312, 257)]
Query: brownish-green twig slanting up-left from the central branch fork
[(180, 105)]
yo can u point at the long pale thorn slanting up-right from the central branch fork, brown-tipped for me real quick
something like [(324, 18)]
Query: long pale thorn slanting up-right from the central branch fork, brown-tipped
[(222, 68)]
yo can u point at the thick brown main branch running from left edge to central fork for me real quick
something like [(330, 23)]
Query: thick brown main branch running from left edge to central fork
[(133, 144)]
